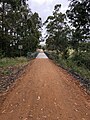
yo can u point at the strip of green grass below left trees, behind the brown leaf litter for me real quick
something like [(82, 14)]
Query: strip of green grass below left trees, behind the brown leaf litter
[(6, 62)]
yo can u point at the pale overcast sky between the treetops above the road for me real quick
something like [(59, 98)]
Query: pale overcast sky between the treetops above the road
[(45, 7)]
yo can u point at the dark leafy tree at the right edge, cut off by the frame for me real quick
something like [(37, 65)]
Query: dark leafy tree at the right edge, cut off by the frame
[(79, 17)]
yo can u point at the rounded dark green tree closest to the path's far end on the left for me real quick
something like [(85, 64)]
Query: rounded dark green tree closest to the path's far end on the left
[(34, 24)]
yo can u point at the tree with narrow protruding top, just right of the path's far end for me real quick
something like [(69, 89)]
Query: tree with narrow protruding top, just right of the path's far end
[(58, 31)]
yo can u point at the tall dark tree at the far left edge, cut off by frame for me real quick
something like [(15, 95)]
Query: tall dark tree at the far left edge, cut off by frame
[(8, 22)]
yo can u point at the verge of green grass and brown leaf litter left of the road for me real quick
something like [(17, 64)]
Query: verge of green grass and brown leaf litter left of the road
[(10, 68)]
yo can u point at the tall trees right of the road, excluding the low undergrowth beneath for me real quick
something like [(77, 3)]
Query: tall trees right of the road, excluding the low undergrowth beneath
[(70, 30)]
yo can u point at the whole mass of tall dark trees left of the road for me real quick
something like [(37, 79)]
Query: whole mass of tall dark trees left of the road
[(18, 26)]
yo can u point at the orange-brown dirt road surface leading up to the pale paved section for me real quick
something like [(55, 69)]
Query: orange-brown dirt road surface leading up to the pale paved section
[(46, 92)]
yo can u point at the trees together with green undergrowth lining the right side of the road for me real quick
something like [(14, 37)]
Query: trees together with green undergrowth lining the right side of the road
[(68, 38)]
